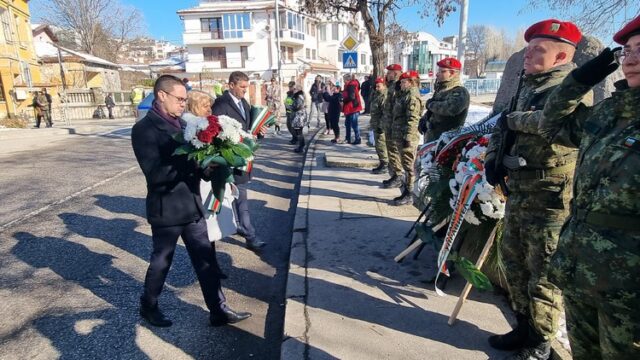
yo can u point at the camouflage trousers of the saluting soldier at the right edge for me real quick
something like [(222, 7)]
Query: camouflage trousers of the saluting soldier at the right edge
[(604, 330)]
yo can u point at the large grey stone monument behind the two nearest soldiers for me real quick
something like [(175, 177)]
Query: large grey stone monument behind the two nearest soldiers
[(588, 47)]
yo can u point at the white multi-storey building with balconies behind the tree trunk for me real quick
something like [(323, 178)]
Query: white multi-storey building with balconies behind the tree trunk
[(222, 36)]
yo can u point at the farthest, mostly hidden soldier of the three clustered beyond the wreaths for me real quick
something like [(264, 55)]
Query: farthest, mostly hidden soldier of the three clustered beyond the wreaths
[(378, 102)]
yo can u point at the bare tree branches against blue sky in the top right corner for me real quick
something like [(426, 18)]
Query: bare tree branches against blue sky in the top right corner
[(592, 16)]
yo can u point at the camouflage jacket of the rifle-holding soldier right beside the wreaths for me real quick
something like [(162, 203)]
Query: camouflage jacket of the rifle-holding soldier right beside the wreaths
[(529, 145)]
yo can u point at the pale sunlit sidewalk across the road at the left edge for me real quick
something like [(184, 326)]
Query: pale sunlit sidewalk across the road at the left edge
[(15, 140)]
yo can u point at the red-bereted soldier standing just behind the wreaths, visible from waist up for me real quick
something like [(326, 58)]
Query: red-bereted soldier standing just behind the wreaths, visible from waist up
[(448, 107)]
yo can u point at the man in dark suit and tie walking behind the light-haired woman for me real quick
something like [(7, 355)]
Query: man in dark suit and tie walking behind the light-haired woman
[(233, 104)]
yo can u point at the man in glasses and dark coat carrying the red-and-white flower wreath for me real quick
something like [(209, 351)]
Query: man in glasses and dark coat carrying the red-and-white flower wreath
[(174, 205)]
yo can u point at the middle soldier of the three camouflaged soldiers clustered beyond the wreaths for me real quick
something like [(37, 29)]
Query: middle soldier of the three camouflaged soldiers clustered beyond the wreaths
[(395, 167)]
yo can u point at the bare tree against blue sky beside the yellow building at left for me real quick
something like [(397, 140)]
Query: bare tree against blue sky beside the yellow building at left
[(101, 26)]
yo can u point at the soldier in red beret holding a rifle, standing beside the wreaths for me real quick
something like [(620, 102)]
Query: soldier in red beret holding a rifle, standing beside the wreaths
[(539, 175)]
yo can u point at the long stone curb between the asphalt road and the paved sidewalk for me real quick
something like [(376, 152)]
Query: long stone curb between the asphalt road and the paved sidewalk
[(295, 344)]
